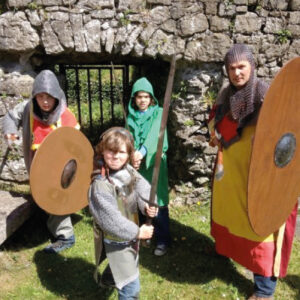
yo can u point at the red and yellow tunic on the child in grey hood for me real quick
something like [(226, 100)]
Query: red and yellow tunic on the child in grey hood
[(40, 130)]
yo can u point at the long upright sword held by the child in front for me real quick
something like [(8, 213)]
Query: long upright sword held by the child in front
[(163, 124)]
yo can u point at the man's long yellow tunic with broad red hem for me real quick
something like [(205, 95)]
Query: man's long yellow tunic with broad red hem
[(230, 226)]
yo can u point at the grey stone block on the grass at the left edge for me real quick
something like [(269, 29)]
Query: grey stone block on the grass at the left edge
[(15, 209)]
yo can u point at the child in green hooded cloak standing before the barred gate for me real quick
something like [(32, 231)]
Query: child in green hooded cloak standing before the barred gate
[(144, 120)]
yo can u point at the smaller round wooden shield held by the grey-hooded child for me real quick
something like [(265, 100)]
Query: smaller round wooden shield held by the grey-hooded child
[(61, 170)]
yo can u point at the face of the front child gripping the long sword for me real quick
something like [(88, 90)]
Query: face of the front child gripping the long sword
[(116, 160)]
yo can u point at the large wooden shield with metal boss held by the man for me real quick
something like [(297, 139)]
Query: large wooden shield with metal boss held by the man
[(274, 176)]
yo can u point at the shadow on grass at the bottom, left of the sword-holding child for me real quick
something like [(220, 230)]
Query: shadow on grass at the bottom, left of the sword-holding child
[(70, 278)]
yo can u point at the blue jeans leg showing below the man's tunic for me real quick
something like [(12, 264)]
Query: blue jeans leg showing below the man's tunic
[(264, 286)]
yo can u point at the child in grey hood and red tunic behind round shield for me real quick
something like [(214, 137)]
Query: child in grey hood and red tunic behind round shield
[(46, 111)]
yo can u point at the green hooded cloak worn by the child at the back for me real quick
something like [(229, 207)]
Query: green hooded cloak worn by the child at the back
[(145, 130)]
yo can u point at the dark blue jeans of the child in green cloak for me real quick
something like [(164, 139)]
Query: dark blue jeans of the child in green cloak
[(162, 227)]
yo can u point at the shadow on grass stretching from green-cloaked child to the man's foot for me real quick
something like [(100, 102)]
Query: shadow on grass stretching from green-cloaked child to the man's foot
[(192, 259)]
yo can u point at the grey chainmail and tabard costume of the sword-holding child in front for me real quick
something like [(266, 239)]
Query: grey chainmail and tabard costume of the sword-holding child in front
[(116, 224)]
